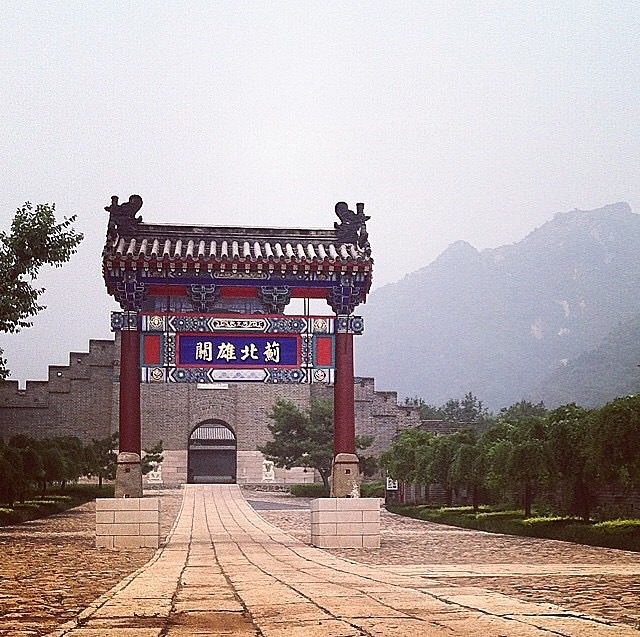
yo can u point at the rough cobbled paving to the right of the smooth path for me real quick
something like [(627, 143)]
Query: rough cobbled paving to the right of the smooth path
[(592, 580)]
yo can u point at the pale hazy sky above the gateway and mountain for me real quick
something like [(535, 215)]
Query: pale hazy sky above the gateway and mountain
[(450, 120)]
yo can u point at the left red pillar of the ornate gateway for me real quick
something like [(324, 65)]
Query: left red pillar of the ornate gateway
[(130, 387)]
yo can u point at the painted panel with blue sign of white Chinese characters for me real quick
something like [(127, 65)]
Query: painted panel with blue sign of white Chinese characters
[(209, 348)]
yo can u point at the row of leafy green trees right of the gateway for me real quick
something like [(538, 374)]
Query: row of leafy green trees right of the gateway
[(563, 457)]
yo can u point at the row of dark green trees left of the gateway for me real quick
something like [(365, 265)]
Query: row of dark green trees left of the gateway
[(29, 465)]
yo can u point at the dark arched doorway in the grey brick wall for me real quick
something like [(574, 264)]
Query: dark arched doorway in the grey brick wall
[(212, 453)]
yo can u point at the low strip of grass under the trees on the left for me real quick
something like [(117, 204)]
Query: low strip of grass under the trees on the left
[(55, 501)]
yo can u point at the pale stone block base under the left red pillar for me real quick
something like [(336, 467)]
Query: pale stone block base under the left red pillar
[(127, 523)]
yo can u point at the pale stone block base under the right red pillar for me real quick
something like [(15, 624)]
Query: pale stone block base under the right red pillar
[(345, 523)]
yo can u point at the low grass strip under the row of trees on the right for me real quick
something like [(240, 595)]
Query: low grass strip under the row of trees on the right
[(617, 534)]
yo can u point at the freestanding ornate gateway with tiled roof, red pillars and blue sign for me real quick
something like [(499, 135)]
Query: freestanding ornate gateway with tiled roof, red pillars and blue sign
[(205, 305)]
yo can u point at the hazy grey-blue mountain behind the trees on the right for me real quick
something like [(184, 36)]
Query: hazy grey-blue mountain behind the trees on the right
[(526, 320)]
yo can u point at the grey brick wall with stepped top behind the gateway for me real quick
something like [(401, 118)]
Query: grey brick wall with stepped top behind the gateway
[(81, 399)]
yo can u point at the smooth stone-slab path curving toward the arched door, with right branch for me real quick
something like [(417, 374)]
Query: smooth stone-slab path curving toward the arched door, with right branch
[(227, 571)]
